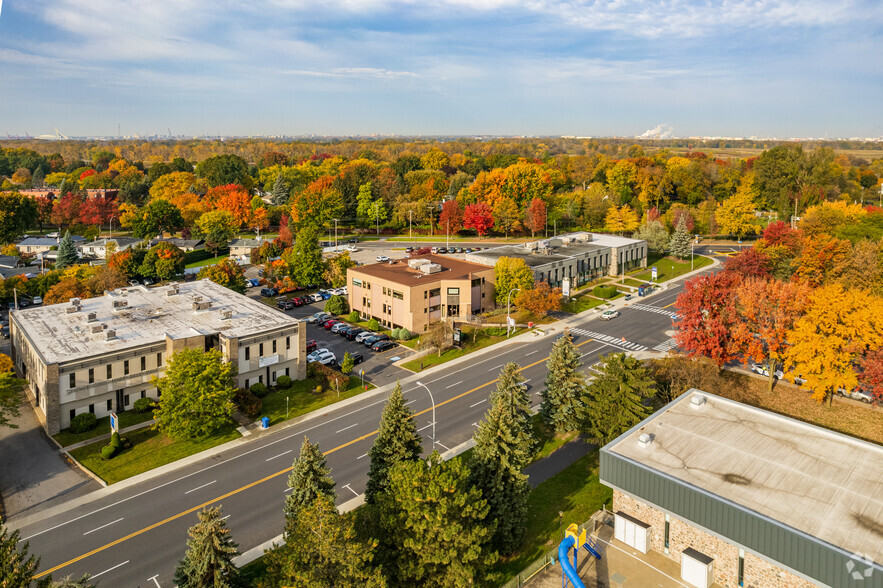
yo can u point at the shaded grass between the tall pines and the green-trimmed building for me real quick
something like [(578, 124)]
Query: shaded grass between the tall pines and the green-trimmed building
[(576, 492)]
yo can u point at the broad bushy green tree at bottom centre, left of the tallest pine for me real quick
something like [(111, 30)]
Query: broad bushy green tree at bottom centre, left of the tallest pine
[(435, 530)]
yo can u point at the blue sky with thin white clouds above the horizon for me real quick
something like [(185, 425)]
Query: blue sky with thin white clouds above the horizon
[(799, 68)]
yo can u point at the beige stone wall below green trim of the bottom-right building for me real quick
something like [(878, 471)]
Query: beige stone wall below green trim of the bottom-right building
[(757, 572)]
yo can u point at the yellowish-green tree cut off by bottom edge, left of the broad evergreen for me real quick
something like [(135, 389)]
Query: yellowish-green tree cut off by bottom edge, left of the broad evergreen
[(323, 549)]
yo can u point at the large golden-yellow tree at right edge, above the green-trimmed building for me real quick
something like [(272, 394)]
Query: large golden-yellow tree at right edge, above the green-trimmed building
[(838, 327)]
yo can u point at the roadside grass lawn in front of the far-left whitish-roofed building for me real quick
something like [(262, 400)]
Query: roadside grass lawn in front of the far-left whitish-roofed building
[(150, 449)]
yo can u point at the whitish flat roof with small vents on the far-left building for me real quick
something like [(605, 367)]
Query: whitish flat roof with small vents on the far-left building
[(150, 315)]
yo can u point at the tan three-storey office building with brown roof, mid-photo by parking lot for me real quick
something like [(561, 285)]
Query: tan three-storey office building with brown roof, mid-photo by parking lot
[(412, 293)]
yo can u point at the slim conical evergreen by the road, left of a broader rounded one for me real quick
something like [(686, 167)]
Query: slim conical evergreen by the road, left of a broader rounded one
[(564, 397)]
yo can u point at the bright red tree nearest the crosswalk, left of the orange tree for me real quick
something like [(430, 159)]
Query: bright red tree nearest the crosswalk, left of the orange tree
[(706, 317)]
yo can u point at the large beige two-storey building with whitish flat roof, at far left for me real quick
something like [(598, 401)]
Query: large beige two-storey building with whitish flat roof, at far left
[(100, 355)]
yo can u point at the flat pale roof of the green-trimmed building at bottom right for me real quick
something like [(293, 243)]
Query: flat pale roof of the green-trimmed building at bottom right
[(825, 484)]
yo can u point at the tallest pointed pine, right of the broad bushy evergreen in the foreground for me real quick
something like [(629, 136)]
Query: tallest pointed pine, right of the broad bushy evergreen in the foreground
[(504, 445)]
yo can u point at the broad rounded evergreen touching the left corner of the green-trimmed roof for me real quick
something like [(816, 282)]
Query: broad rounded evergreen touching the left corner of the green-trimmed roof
[(616, 396)]
